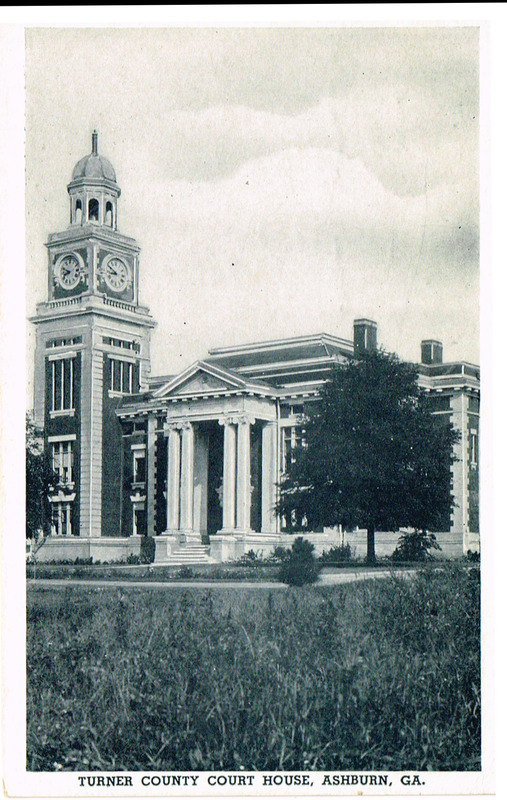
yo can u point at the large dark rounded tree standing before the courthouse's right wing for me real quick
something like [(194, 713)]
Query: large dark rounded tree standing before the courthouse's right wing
[(375, 456)]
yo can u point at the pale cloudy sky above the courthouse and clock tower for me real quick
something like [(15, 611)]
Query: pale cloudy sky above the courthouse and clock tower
[(280, 181)]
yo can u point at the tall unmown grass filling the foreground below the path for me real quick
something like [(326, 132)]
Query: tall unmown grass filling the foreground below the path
[(374, 675)]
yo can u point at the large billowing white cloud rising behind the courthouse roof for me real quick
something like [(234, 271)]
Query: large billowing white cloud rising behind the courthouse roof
[(303, 240)]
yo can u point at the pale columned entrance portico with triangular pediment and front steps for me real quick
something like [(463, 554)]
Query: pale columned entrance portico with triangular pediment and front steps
[(221, 460)]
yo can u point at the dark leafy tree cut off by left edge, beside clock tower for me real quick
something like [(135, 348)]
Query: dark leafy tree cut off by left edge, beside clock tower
[(40, 480)]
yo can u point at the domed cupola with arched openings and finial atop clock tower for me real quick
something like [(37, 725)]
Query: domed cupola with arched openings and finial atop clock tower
[(93, 190)]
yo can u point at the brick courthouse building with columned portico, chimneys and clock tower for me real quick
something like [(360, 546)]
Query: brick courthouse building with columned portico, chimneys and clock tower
[(192, 459)]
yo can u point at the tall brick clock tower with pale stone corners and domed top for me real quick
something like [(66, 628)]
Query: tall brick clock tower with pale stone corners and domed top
[(92, 351)]
